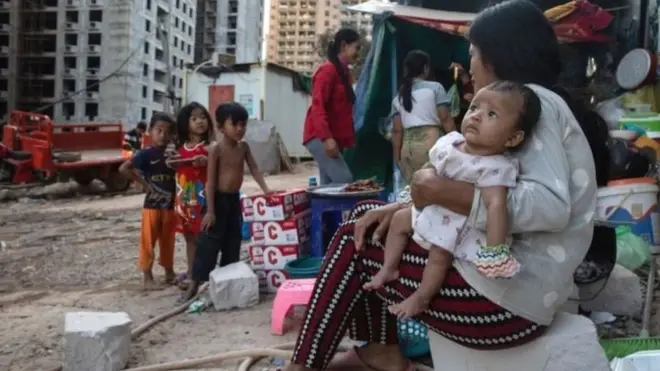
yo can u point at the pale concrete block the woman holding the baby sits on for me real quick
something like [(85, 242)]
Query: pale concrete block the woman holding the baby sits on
[(571, 343)]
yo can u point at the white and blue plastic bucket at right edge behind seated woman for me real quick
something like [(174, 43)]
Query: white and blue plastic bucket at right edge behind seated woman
[(634, 204)]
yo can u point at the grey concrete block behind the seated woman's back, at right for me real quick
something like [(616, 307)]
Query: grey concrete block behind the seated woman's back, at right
[(622, 294)]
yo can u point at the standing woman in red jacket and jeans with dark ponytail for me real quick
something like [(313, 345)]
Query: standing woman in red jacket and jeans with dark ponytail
[(329, 122)]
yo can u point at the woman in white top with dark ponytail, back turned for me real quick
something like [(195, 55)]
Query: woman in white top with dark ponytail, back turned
[(420, 115)]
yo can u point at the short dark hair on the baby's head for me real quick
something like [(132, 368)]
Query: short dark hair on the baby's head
[(531, 109)]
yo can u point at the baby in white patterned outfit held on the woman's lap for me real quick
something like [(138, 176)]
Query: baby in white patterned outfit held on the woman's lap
[(501, 116)]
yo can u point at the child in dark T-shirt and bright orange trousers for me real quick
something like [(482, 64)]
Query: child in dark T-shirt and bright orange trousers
[(148, 167)]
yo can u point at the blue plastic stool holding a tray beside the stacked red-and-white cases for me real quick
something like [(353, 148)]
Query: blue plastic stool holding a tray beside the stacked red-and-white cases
[(321, 205)]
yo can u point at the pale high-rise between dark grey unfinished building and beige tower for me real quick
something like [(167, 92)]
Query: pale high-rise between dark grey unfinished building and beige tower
[(232, 27)]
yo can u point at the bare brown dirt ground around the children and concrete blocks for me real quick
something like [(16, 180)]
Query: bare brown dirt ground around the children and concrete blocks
[(73, 255)]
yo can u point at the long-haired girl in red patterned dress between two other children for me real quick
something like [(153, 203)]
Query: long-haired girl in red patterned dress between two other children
[(193, 129)]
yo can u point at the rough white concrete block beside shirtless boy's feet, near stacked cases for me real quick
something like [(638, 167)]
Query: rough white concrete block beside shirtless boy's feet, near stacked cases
[(233, 286)]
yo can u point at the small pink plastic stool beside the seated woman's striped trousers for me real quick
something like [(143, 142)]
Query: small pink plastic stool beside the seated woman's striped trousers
[(292, 292)]
